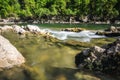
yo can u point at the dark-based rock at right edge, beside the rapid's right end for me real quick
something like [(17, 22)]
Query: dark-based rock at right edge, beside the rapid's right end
[(110, 32)]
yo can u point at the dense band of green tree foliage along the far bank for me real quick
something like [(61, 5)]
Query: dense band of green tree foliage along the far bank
[(62, 9)]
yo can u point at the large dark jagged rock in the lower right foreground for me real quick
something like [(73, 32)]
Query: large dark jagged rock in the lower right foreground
[(105, 58)]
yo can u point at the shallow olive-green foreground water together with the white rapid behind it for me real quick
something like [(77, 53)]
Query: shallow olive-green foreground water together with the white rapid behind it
[(53, 59)]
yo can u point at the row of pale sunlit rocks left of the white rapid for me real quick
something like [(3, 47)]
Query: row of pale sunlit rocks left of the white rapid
[(23, 30)]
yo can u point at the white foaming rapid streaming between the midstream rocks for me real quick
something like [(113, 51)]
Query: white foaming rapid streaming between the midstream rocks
[(83, 36)]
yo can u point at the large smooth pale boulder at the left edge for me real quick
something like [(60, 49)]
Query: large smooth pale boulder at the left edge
[(9, 55)]
